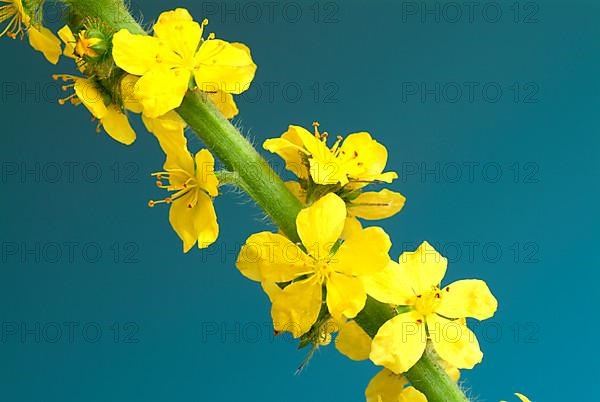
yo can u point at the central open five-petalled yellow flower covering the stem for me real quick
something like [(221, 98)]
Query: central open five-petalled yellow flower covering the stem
[(323, 263)]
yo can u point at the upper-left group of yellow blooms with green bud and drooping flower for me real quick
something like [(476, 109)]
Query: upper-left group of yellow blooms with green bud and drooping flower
[(124, 73)]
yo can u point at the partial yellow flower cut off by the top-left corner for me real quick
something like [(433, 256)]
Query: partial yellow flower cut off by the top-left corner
[(19, 20)]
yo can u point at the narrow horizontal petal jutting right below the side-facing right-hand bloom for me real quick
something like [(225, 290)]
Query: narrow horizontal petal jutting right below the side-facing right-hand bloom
[(377, 205)]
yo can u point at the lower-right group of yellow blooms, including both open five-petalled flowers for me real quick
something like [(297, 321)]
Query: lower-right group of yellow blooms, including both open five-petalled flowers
[(338, 263)]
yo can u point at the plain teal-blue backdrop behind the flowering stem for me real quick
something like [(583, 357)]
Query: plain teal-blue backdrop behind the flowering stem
[(190, 327)]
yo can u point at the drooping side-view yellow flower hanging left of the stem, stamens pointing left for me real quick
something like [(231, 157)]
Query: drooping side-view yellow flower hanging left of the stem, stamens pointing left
[(193, 184)]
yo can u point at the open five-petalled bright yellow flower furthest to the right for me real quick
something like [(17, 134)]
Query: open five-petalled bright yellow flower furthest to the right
[(433, 312)]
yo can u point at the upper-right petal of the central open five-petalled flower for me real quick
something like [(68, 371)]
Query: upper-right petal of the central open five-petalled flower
[(363, 253)]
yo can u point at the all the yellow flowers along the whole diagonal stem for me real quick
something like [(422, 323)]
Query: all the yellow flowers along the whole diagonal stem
[(320, 279)]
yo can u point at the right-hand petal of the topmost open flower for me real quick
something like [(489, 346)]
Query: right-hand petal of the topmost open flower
[(229, 66)]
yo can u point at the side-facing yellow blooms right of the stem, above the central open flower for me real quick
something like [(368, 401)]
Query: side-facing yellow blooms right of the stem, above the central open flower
[(345, 168)]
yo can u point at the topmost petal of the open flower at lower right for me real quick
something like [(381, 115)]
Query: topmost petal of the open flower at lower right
[(424, 268)]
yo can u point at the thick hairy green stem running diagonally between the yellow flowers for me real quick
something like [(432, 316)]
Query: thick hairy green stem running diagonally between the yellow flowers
[(268, 190)]
